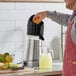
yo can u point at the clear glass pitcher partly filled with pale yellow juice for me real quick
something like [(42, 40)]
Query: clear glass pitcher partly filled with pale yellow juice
[(45, 59)]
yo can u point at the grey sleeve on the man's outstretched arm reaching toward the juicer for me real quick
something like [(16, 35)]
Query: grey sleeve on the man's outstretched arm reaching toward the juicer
[(59, 18)]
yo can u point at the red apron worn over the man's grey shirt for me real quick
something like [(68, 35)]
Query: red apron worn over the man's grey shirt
[(69, 61)]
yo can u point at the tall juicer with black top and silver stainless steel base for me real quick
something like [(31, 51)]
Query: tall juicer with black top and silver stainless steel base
[(35, 35)]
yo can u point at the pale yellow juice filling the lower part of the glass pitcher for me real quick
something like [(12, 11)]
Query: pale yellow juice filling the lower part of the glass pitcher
[(45, 62)]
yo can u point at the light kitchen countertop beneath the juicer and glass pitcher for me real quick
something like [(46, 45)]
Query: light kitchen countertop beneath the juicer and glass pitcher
[(56, 70)]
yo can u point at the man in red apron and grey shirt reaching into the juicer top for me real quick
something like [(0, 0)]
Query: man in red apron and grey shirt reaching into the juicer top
[(69, 61)]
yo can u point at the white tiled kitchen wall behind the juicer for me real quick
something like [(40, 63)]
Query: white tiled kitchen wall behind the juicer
[(13, 25)]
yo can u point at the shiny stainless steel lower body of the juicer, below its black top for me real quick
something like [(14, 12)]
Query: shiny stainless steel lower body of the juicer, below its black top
[(33, 53)]
